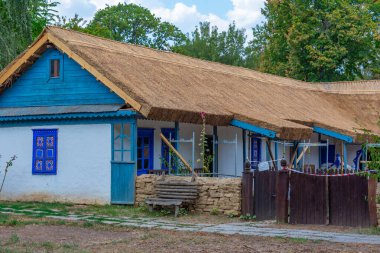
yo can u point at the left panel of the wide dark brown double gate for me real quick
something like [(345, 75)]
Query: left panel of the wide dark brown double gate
[(308, 199)]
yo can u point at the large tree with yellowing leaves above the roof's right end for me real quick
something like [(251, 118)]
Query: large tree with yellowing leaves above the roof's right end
[(320, 40)]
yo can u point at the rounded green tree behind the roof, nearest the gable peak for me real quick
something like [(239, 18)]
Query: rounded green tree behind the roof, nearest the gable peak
[(134, 24)]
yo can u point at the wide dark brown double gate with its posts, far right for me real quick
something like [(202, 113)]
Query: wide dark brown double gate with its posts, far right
[(336, 200)]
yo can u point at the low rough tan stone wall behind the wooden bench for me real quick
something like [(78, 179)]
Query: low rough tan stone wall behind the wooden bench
[(219, 195)]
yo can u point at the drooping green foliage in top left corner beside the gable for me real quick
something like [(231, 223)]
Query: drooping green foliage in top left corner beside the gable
[(20, 23)]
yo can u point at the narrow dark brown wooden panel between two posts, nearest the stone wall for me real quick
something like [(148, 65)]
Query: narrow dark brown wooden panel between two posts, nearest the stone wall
[(265, 194)]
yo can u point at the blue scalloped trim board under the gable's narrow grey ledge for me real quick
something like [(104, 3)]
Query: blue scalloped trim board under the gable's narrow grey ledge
[(70, 116)]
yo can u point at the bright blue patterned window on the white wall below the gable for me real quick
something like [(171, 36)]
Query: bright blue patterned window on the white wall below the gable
[(44, 152)]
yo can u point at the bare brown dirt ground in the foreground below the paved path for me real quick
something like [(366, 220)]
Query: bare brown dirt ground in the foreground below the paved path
[(102, 238)]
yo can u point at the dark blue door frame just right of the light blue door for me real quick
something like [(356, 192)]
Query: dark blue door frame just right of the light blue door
[(145, 138)]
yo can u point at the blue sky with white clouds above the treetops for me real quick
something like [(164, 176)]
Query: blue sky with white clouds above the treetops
[(185, 14)]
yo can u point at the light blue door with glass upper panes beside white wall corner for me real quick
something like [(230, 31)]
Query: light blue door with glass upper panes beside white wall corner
[(123, 165)]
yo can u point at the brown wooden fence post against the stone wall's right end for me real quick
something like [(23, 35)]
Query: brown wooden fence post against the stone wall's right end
[(247, 193)]
